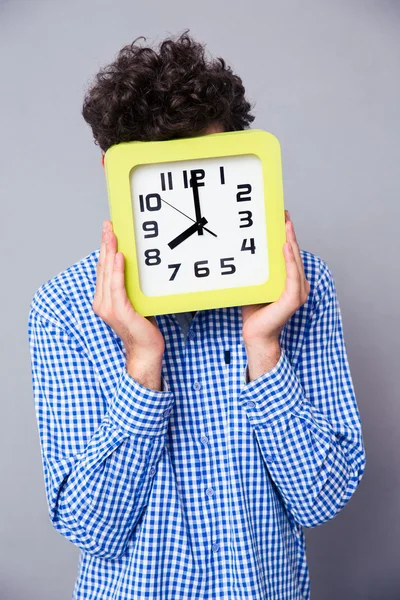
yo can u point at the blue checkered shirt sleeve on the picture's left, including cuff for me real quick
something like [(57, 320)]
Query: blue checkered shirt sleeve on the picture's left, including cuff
[(99, 450)]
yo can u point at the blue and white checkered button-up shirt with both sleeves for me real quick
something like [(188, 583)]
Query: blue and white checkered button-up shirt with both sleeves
[(201, 490)]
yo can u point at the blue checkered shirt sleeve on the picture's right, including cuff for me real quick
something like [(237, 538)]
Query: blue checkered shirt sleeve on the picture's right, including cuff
[(306, 422)]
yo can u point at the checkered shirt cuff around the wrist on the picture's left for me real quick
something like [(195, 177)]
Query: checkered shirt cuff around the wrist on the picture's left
[(139, 409)]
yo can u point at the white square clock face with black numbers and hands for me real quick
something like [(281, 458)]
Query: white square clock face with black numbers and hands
[(200, 224)]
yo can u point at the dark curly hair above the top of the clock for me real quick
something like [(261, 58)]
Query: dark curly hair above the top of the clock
[(167, 93)]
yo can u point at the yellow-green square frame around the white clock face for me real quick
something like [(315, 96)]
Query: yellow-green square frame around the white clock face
[(120, 159)]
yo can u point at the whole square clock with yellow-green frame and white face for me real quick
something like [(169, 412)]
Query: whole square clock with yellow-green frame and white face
[(200, 220)]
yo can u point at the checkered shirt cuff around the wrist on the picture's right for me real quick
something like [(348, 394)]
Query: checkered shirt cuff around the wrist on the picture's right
[(272, 394)]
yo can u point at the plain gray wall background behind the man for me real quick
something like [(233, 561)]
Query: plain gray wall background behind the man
[(325, 79)]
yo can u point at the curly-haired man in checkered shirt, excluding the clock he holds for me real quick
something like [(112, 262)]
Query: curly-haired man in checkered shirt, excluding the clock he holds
[(185, 453)]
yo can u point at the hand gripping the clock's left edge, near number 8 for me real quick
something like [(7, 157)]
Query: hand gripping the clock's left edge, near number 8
[(140, 335)]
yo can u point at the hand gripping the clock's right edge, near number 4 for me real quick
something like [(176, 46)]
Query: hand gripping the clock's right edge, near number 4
[(262, 323)]
